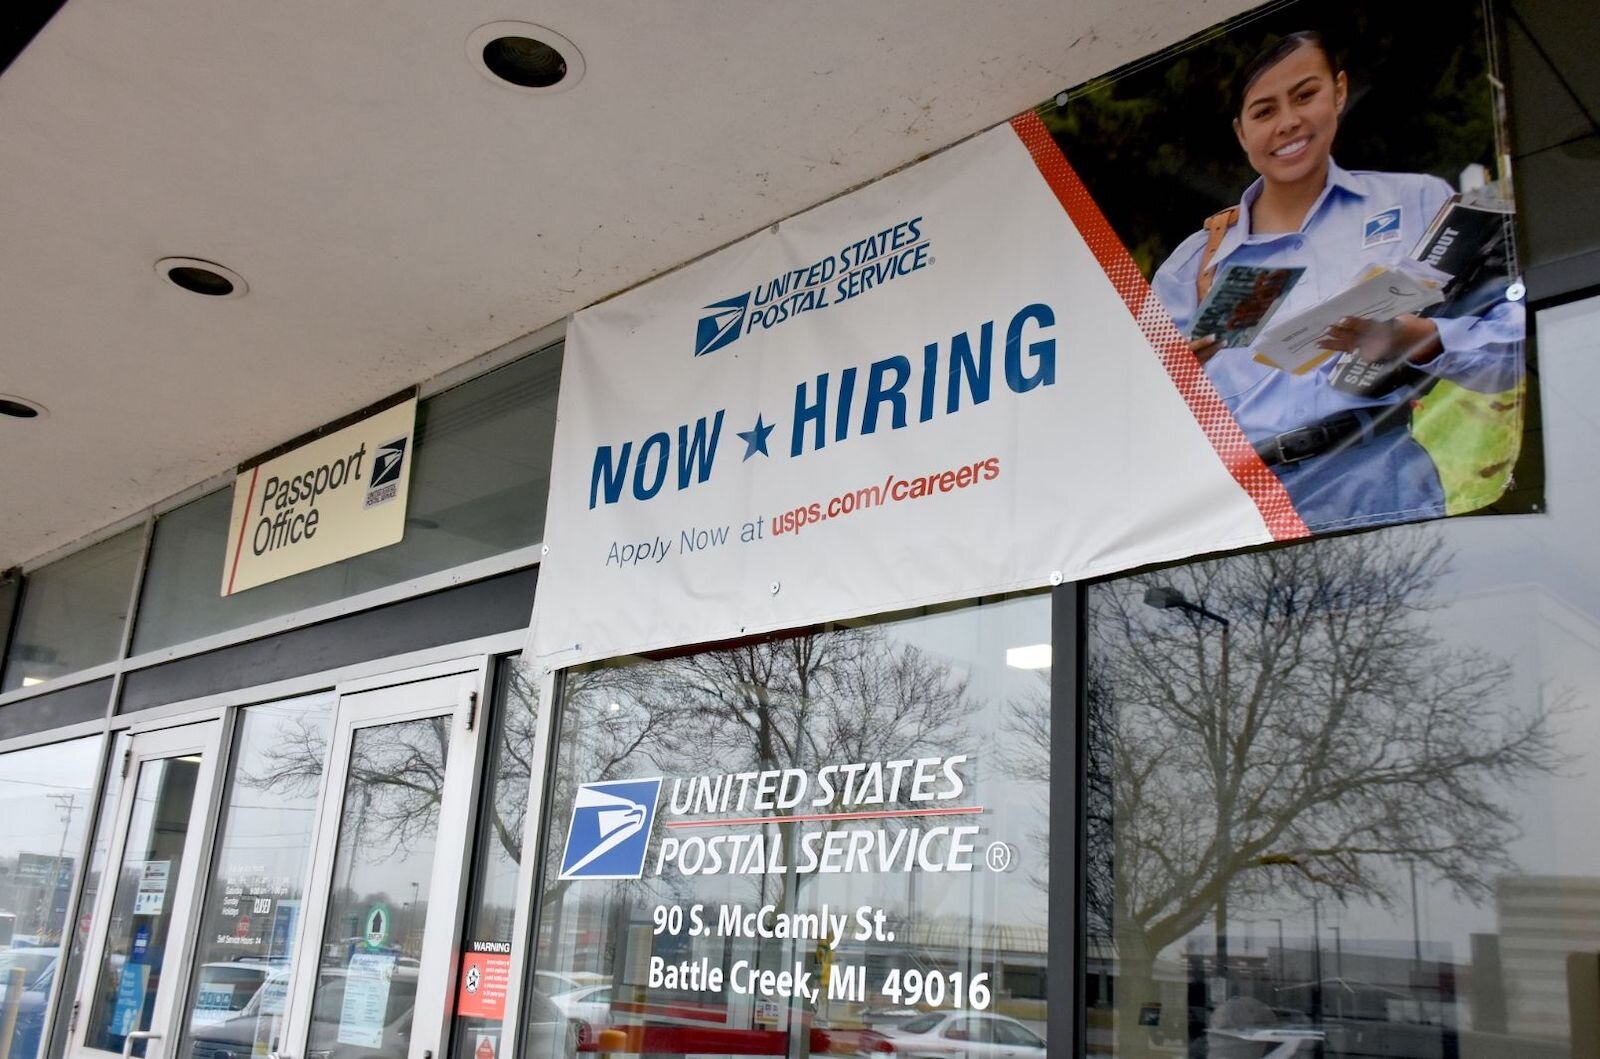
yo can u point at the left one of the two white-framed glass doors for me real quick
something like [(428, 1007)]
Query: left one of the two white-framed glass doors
[(140, 929)]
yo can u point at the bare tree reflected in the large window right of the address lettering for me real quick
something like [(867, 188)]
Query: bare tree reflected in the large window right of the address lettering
[(1326, 732)]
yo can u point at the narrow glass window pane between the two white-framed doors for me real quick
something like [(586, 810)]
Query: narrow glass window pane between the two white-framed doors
[(250, 913)]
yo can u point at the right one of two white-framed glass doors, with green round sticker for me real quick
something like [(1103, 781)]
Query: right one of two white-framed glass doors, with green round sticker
[(388, 876)]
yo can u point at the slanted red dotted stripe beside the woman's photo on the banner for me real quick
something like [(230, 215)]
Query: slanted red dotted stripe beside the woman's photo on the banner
[(1209, 410)]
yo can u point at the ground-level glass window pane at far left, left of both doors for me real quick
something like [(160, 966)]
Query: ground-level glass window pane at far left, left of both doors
[(47, 796)]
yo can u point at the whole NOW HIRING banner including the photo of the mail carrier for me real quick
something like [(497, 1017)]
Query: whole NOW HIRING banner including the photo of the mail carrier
[(1258, 287)]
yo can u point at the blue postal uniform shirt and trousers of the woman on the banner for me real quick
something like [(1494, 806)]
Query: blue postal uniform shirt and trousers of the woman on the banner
[(1361, 220)]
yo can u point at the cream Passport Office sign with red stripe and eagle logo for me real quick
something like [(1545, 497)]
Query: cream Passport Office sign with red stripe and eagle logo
[(338, 495)]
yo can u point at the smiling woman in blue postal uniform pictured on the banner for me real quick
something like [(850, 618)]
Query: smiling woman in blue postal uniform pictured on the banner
[(1334, 428)]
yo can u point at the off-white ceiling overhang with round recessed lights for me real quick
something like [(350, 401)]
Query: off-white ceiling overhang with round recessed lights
[(396, 214)]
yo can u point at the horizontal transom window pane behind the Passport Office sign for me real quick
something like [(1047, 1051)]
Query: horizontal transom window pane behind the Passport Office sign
[(479, 487)]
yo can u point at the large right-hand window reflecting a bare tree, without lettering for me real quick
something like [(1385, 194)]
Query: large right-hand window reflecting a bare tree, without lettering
[(1340, 794)]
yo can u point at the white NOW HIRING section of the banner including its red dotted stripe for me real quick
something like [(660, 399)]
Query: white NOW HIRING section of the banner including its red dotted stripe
[(946, 385)]
